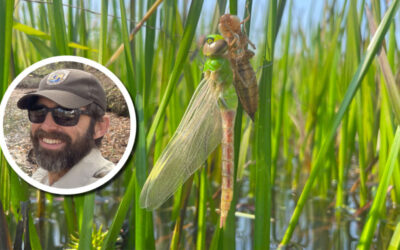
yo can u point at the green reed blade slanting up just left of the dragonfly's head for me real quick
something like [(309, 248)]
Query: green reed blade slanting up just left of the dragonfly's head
[(188, 36)]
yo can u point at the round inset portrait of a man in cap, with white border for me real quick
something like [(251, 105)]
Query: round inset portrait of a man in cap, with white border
[(67, 125)]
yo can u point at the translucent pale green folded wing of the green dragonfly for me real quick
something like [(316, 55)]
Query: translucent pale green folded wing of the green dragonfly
[(197, 135)]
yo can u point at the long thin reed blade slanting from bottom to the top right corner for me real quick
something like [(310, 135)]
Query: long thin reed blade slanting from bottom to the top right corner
[(351, 90)]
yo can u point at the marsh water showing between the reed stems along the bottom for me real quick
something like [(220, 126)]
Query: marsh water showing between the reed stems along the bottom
[(317, 229)]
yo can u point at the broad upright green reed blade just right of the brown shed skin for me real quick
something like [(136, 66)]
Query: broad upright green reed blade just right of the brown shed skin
[(263, 131)]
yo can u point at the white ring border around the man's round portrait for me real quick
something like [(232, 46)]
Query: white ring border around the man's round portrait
[(128, 149)]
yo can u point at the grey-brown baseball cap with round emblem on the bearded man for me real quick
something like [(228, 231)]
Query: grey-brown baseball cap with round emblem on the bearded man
[(69, 88)]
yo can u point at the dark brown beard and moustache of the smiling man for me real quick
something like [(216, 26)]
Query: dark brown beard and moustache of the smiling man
[(65, 159)]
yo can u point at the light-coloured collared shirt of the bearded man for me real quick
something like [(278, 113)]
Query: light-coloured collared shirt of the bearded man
[(91, 168)]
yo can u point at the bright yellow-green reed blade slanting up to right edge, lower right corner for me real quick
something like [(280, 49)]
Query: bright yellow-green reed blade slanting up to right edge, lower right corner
[(379, 201)]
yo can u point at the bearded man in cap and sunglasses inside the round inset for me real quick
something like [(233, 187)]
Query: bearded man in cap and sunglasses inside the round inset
[(68, 122)]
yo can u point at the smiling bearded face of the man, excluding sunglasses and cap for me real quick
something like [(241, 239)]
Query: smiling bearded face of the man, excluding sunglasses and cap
[(58, 148)]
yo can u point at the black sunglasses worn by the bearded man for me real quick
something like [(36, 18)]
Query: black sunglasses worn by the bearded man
[(61, 116)]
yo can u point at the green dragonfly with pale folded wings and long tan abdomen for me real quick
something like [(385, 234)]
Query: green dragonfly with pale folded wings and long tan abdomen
[(207, 122)]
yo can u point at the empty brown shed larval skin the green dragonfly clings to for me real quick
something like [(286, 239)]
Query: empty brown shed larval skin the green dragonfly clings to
[(244, 77)]
